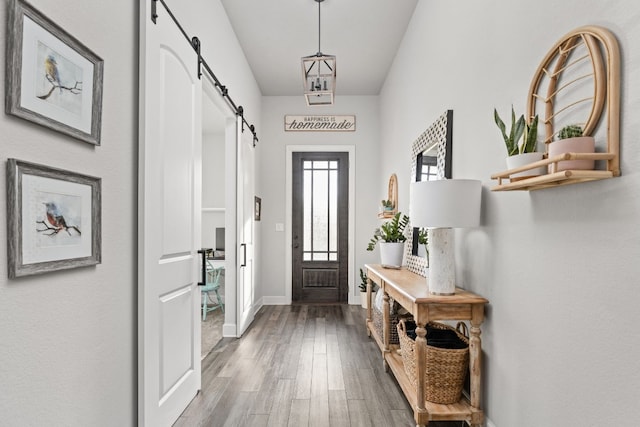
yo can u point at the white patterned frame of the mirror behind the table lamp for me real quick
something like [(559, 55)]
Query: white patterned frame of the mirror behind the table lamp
[(439, 135)]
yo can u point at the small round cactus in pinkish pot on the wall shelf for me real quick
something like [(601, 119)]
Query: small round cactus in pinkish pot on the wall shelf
[(571, 140)]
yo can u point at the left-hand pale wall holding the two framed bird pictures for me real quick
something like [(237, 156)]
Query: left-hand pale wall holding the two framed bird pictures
[(69, 340)]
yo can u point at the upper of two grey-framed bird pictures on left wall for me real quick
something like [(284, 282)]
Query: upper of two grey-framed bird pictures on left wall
[(52, 78)]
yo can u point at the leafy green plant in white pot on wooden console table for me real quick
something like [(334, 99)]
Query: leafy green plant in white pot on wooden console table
[(391, 237)]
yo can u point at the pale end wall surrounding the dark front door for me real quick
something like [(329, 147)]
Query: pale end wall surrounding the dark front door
[(272, 179)]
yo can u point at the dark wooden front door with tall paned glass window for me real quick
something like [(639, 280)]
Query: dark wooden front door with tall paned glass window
[(320, 227)]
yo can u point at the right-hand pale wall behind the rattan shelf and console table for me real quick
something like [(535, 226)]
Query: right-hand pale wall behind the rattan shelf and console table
[(559, 265)]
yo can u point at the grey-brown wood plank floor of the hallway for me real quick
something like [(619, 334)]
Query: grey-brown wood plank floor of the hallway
[(300, 365)]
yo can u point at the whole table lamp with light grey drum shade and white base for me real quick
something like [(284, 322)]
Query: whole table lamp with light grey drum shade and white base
[(440, 206)]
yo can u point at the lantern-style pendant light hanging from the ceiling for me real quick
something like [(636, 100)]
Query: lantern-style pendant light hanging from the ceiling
[(319, 75)]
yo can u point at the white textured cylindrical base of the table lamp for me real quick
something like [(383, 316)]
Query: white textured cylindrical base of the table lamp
[(442, 268)]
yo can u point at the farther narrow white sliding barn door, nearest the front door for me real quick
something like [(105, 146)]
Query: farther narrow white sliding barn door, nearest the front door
[(246, 210)]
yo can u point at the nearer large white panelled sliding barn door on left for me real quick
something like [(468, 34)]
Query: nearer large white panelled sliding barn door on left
[(169, 221)]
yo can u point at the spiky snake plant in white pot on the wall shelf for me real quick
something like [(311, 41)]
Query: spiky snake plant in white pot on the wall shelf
[(521, 143)]
